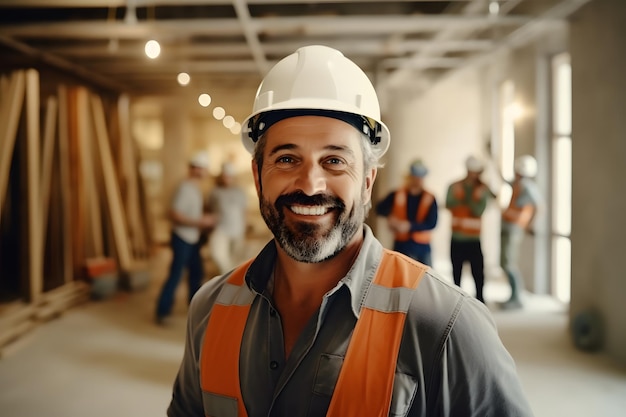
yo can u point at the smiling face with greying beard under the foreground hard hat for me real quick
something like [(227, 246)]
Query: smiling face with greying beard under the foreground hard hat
[(312, 188)]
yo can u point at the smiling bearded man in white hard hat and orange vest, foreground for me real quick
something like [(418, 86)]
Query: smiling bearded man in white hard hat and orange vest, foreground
[(324, 321)]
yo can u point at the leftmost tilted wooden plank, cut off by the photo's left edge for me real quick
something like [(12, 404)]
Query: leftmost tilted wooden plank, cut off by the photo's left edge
[(10, 110)]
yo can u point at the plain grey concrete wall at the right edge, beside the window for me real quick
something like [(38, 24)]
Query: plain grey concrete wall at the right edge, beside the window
[(598, 53)]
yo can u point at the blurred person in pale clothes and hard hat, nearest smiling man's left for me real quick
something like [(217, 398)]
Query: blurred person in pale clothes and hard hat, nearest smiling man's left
[(229, 204)]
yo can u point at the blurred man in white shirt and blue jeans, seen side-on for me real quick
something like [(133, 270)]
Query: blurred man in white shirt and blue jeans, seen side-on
[(188, 221)]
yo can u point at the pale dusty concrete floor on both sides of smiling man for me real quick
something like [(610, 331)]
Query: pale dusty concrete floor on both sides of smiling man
[(106, 358)]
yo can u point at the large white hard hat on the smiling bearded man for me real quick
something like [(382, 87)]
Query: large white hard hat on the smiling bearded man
[(317, 80)]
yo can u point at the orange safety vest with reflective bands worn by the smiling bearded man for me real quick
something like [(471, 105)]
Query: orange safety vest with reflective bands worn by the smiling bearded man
[(365, 383)]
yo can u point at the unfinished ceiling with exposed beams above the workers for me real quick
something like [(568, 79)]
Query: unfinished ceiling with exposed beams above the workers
[(233, 43)]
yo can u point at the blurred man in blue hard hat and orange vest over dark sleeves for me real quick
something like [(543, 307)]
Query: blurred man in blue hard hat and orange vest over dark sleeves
[(411, 214)]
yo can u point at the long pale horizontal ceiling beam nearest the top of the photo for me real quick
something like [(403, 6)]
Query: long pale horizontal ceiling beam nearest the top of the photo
[(294, 25)]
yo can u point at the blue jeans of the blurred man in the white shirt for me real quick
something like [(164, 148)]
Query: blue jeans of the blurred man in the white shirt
[(184, 256)]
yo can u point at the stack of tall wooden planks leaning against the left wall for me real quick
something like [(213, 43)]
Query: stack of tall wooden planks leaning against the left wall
[(69, 193)]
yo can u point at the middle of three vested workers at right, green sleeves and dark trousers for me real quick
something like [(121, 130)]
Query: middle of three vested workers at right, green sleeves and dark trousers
[(467, 199)]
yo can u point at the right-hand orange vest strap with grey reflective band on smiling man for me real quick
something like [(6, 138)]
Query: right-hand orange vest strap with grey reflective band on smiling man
[(365, 383)]
